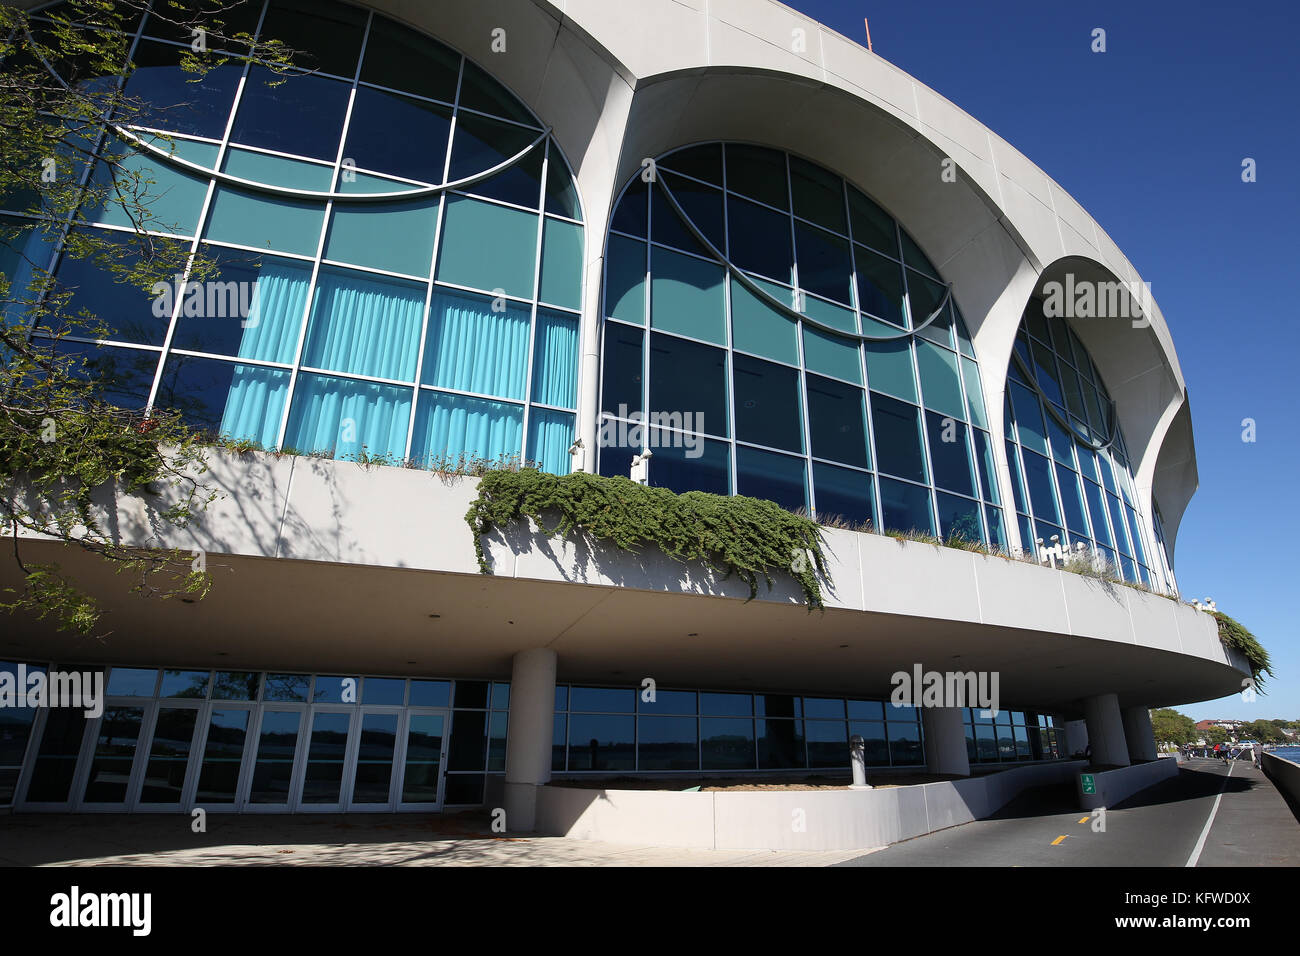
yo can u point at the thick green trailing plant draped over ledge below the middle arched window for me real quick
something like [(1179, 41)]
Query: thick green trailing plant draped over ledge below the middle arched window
[(740, 537)]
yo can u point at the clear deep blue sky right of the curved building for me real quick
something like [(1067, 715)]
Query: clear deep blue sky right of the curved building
[(1150, 139)]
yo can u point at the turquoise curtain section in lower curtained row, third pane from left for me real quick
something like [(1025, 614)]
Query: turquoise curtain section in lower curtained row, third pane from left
[(450, 427)]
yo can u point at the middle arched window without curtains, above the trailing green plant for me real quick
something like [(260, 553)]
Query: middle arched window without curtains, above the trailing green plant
[(816, 338)]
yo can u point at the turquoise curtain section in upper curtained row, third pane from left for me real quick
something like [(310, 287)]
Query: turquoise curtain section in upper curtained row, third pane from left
[(471, 348)]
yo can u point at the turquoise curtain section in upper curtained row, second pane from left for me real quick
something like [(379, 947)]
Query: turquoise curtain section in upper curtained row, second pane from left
[(365, 326)]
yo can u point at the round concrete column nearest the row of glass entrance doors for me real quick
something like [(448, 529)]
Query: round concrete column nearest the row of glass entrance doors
[(528, 741)]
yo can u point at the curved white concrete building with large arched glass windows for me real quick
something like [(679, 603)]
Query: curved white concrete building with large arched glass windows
[(564, 235)]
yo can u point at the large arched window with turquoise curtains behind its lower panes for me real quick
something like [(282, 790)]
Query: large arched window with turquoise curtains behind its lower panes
[(406, 325)]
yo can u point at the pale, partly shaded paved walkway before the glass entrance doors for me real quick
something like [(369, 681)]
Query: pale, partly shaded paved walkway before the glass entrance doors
[(336, 841)]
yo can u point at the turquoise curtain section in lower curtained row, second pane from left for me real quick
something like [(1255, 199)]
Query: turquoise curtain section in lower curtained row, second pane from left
[(345, 417)]
